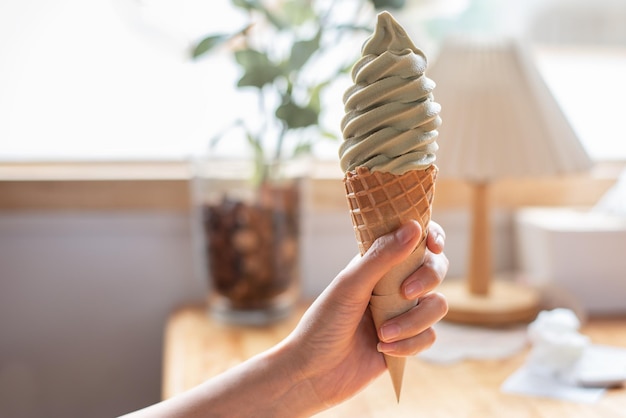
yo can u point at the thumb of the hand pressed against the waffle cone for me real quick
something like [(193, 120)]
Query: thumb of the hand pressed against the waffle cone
[(359, 278)]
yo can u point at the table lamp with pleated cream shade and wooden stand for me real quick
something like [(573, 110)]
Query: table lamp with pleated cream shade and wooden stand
[(500, 122)]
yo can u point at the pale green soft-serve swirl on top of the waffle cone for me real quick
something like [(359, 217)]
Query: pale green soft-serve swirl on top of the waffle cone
[(391, 119)]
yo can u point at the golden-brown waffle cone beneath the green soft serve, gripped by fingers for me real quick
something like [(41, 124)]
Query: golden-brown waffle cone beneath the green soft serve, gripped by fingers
[(379, 203)]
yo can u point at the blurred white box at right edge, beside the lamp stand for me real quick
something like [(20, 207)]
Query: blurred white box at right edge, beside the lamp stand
[(580, 251)]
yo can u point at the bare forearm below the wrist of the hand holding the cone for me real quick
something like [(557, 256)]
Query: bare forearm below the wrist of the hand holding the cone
[(267, 385)]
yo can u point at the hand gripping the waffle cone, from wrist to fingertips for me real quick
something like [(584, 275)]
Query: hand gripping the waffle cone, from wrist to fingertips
[(336, 345)]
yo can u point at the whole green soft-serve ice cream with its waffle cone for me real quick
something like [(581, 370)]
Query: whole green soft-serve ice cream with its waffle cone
[(388, 154)]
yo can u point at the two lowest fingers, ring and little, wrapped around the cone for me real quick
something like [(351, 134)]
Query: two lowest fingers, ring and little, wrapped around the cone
[(411, 332)]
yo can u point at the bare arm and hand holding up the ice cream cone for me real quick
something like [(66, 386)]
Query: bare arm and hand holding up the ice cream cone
[(332, 353)]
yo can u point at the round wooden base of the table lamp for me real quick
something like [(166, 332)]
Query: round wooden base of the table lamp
[(506, 303)]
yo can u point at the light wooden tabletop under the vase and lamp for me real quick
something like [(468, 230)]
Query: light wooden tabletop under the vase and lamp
[(196, 348)]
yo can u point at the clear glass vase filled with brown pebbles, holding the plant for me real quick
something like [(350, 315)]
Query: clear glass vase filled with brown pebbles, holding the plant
[(249, 240)]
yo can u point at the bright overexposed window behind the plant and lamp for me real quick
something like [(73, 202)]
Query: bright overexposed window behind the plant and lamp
[(113, 79)]
